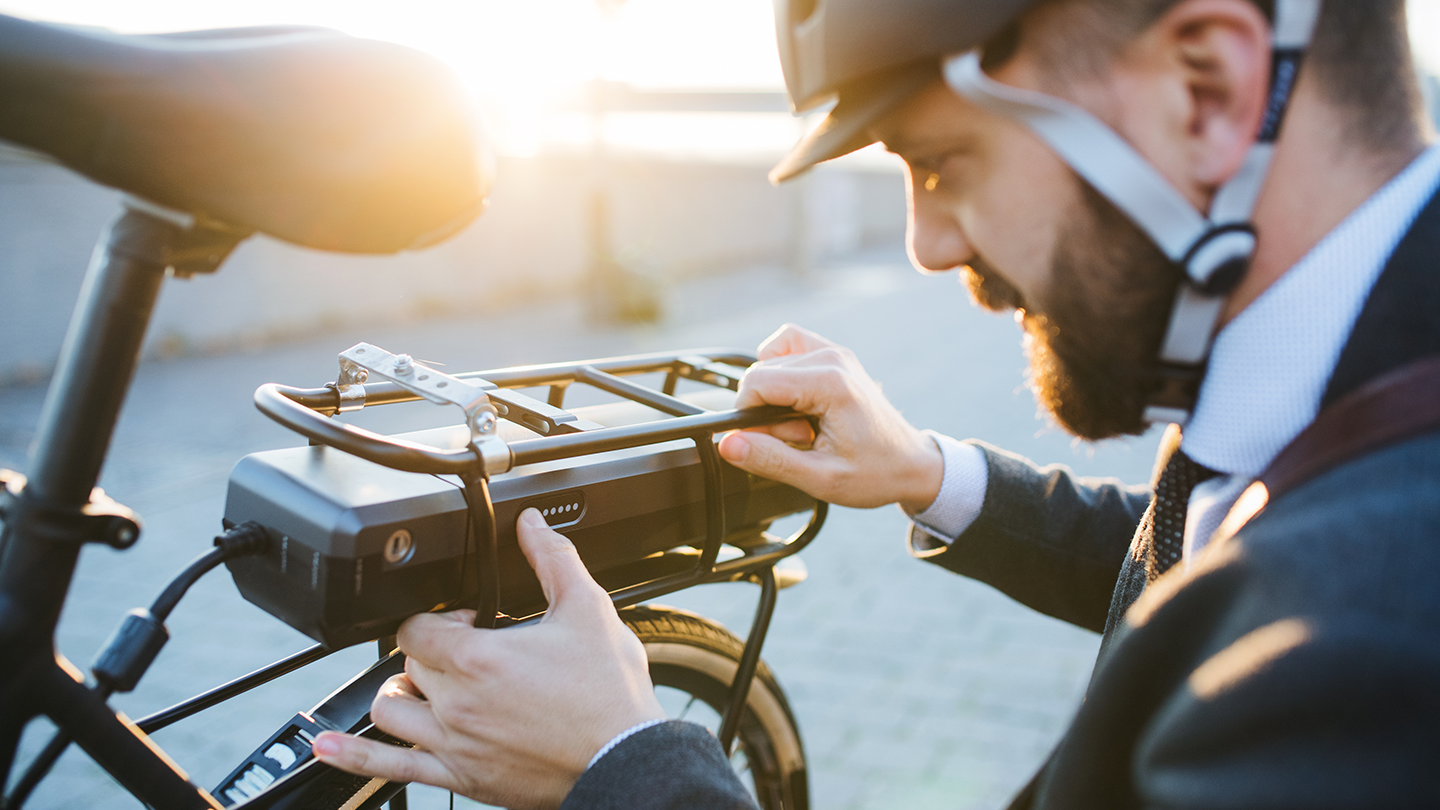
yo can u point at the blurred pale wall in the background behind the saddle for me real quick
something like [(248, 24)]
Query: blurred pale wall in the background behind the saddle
[(667, 220)]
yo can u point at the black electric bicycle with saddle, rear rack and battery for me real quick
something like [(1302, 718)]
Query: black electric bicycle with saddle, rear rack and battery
[(450, 541)]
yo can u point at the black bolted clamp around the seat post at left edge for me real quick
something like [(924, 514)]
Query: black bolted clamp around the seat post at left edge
[(102, 521)]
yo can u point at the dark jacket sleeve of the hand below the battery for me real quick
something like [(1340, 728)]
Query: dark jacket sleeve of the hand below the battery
[(673, 766)]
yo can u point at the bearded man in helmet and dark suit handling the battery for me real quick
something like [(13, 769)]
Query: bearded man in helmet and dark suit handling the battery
[(1095, 168)]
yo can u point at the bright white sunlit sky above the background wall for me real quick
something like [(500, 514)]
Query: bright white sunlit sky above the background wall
[(521, 57)]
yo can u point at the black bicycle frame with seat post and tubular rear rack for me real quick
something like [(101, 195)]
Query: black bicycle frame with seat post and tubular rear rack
[(50, 517)]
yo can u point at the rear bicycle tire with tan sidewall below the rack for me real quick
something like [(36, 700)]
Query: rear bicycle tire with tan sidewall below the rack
[(698, 657)]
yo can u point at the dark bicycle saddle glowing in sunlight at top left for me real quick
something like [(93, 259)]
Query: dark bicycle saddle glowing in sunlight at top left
[(306, 135)]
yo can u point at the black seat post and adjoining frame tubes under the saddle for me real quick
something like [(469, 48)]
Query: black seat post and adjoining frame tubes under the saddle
[(53, 517)]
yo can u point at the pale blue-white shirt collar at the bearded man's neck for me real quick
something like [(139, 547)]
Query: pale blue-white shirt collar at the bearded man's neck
[(1271, 365)]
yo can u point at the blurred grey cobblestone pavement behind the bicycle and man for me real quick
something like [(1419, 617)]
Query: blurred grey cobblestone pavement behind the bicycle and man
[(914, 688)]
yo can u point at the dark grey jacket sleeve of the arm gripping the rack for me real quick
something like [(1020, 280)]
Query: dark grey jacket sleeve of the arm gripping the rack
[(1045, 537)]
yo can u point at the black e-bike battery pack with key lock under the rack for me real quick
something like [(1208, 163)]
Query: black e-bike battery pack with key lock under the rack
[(356, 548)]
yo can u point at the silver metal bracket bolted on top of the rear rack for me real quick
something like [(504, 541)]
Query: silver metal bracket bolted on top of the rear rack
[(365, 360)]
